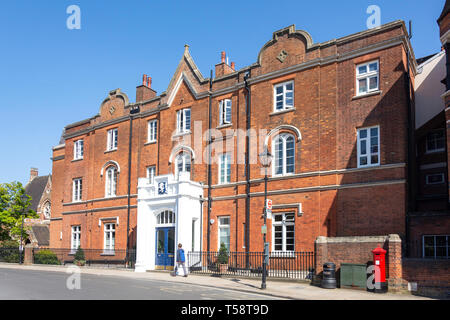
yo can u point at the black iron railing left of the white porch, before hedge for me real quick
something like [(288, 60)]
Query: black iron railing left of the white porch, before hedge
[(93, 257)]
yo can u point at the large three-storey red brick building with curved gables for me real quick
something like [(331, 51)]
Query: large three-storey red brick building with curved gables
[(334, 115)]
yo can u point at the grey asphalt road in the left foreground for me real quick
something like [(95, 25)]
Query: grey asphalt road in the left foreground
[(44, 285)]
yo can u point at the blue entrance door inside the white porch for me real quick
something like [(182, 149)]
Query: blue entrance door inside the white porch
[(165, 248)]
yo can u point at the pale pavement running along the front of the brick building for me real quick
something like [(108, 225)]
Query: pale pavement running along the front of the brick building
[(275, 289)]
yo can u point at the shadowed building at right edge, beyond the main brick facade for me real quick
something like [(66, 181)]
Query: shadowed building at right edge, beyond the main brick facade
[(429, 220)]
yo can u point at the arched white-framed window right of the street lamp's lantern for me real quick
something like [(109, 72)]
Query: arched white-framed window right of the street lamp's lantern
[(283, 149)]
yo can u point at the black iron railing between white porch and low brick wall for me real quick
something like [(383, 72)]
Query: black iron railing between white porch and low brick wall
[(291, 265)]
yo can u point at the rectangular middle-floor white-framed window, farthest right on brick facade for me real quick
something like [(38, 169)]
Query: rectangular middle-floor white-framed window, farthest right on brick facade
[(368, 147)]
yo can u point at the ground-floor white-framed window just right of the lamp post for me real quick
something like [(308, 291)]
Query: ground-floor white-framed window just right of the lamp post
[(283, 232)]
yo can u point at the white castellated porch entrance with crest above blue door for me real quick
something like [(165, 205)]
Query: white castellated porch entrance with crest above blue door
[(169, 212)]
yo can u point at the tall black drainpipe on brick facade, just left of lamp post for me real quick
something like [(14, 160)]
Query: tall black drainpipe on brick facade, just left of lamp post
[(247, 167)]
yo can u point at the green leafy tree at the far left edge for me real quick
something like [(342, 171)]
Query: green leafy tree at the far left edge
[(13, 203)]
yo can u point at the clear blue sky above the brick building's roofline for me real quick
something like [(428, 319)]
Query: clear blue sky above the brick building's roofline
[(51, 76)]
